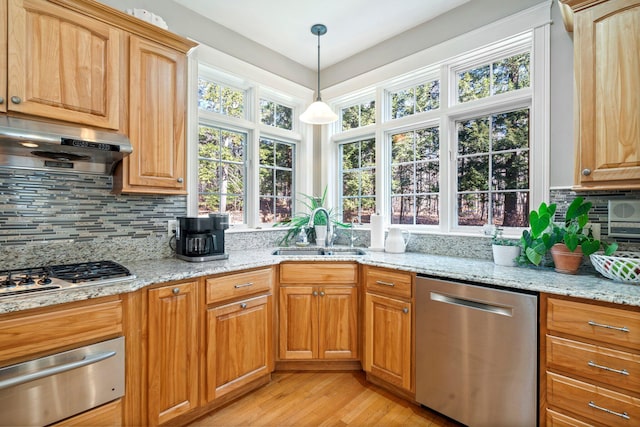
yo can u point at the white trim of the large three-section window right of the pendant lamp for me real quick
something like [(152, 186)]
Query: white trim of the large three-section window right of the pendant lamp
[(535, 20)]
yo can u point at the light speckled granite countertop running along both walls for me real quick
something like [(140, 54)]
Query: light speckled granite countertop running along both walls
[(590, 286)]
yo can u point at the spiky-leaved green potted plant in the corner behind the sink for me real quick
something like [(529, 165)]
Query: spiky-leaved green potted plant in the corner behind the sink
[(300, 221)]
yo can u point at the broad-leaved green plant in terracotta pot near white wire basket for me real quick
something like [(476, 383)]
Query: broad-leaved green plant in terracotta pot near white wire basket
[(561, 239)]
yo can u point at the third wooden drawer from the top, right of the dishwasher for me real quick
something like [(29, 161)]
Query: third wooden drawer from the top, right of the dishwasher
[(596, 403)]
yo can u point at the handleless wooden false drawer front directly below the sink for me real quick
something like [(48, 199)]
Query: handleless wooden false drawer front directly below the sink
[(322, 273)]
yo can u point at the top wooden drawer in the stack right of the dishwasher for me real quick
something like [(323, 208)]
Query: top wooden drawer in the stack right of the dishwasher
[(611, 325)]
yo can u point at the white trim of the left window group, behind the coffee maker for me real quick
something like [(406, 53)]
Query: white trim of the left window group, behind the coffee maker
[(260, 83)]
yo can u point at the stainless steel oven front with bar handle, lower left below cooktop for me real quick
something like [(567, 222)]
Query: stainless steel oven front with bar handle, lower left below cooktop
[(52, 388)]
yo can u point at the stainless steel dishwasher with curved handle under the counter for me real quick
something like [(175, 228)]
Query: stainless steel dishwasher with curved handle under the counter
[(477, 353)]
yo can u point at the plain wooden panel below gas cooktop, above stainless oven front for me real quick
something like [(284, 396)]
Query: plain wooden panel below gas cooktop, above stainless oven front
[(38, 334)]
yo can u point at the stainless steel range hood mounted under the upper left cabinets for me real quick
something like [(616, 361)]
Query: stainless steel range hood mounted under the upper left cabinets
[(32, 144)]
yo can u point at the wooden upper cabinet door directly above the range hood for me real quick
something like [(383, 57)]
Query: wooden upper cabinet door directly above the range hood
[(63, 65)]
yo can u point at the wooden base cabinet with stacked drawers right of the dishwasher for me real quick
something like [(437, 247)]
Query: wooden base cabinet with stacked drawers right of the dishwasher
[(591, 363)]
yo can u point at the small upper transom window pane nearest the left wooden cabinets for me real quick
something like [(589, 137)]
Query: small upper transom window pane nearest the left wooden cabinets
[(221, 99)]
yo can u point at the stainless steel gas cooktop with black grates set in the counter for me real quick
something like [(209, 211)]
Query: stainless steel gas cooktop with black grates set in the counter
[(40, 279)]
